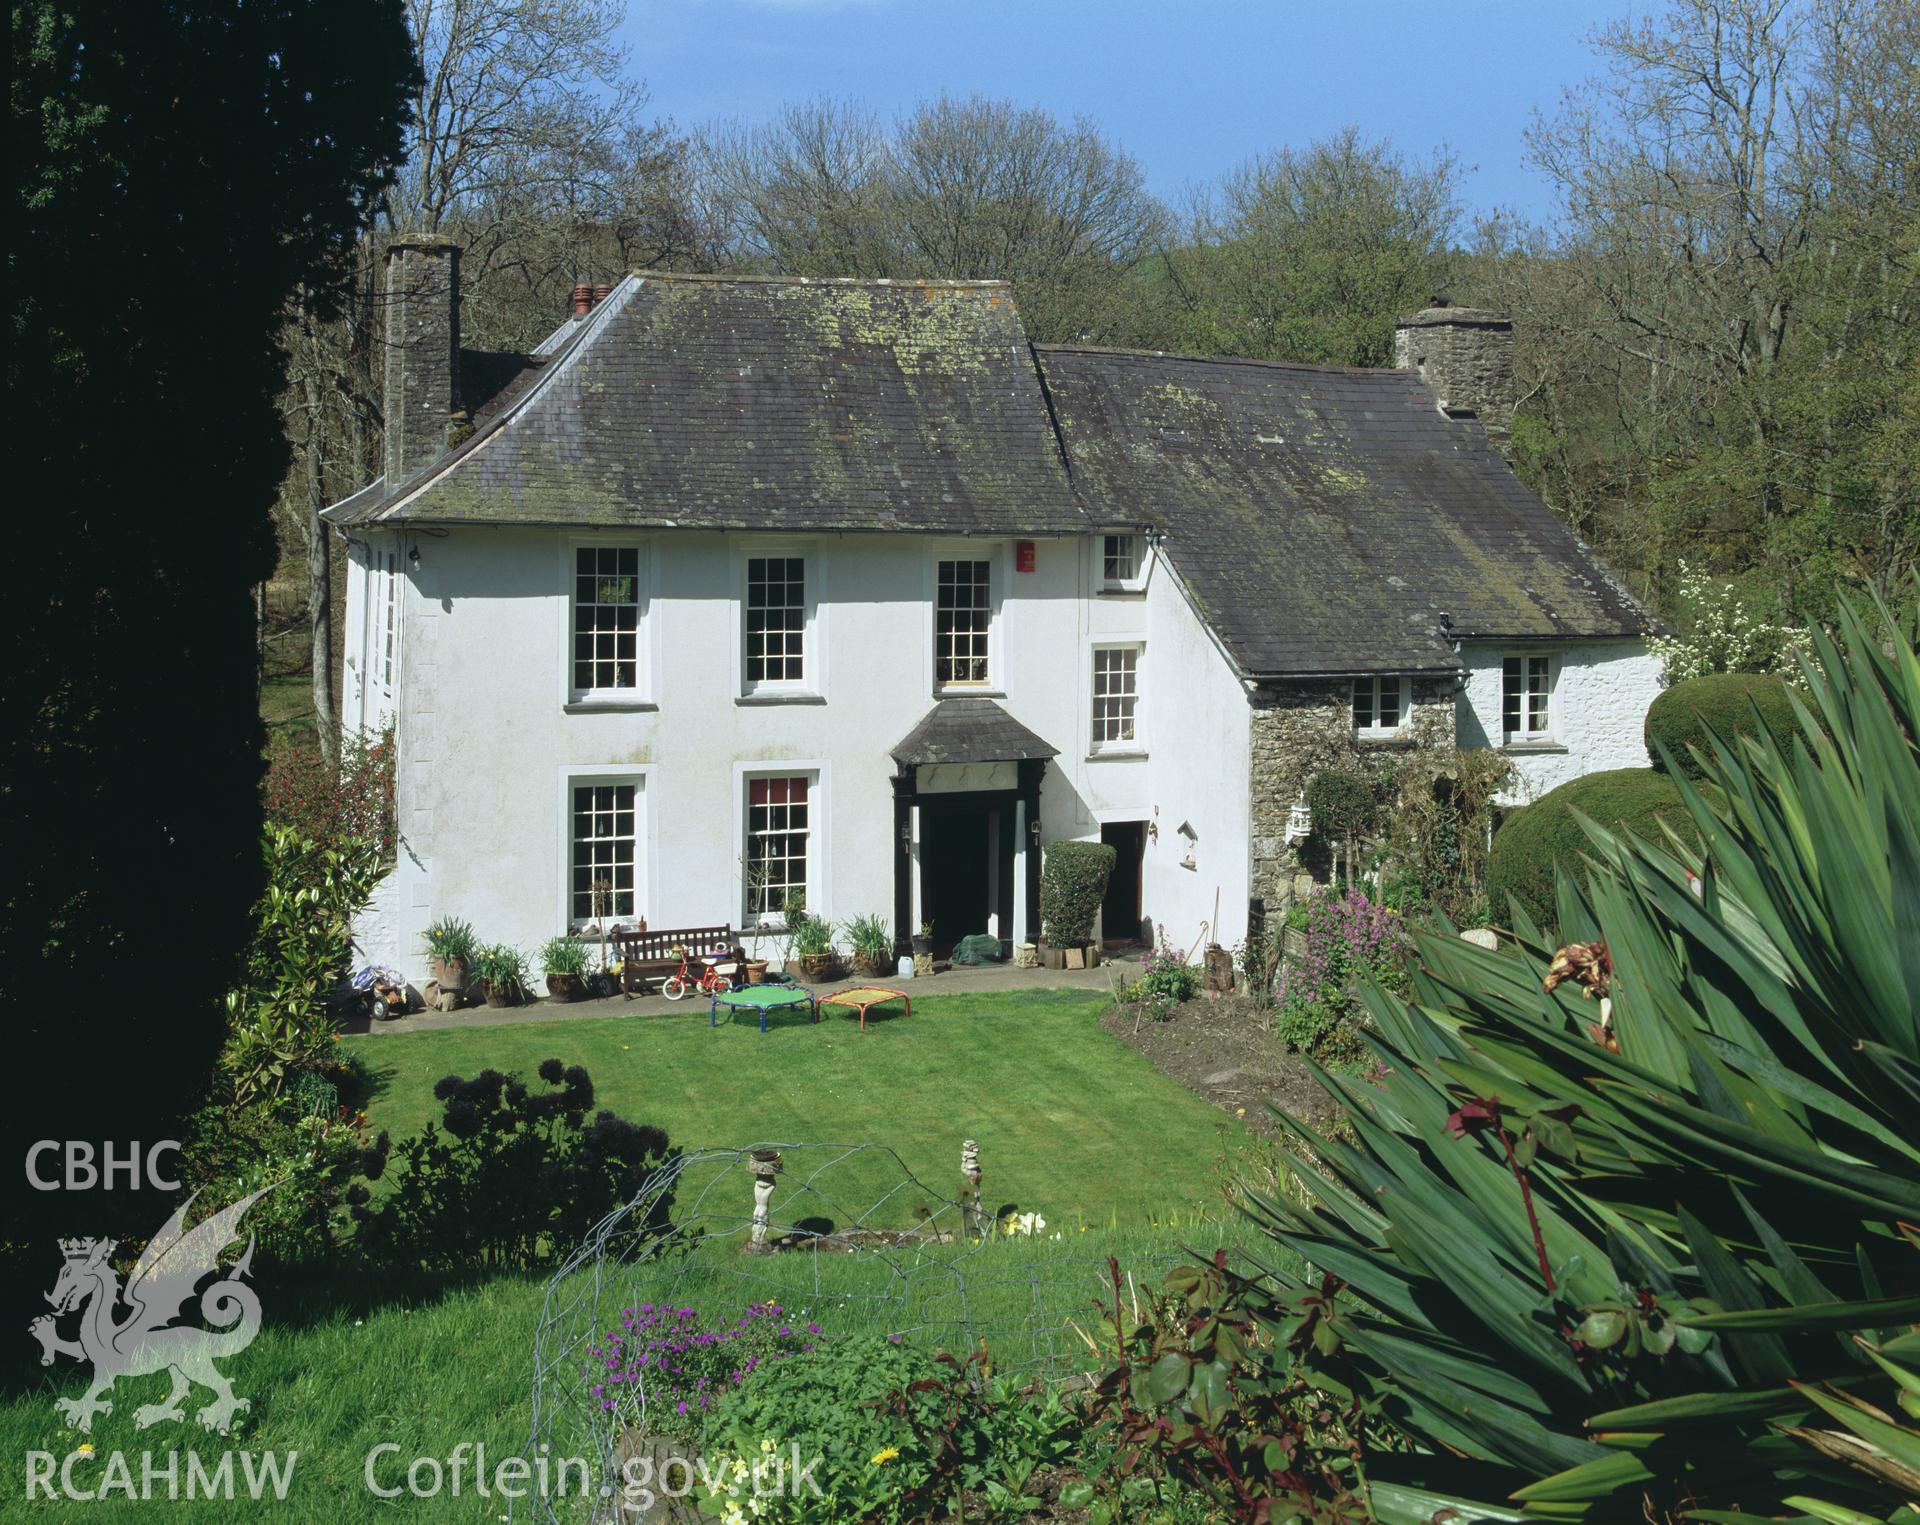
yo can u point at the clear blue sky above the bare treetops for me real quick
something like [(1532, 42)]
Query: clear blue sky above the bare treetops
[(1188, 85)]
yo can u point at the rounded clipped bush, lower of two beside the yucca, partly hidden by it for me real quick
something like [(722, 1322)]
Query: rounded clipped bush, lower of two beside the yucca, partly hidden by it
[(1529, 844)]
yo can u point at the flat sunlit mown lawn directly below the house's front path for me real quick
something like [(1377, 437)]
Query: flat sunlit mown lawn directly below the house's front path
[(1070, 1123)]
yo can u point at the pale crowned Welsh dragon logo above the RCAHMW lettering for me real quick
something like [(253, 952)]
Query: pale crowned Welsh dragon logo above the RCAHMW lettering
[(164, 1278)]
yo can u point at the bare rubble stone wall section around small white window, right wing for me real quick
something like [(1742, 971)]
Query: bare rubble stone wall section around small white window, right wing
[(1301, 729)]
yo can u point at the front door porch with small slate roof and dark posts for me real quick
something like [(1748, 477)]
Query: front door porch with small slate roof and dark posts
[(980, 762)]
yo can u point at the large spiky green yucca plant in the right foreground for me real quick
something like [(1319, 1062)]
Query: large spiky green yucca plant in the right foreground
[(1625, 1230)]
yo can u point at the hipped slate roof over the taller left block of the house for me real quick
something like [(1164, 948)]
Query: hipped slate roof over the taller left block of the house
[(769, 404)]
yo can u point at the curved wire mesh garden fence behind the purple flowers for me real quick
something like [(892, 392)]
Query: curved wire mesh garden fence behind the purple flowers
[(805, 1228)]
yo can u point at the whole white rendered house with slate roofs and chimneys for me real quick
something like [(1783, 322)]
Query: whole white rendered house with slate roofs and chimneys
[(748, 587)]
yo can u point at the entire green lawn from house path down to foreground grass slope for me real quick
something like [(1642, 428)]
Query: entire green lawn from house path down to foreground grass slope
[(1070, 1123)]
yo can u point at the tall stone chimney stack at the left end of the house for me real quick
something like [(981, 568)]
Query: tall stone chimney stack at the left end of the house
[(423, 352)]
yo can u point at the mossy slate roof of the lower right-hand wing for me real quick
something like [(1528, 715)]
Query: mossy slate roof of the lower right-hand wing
[(1324, 520)]
